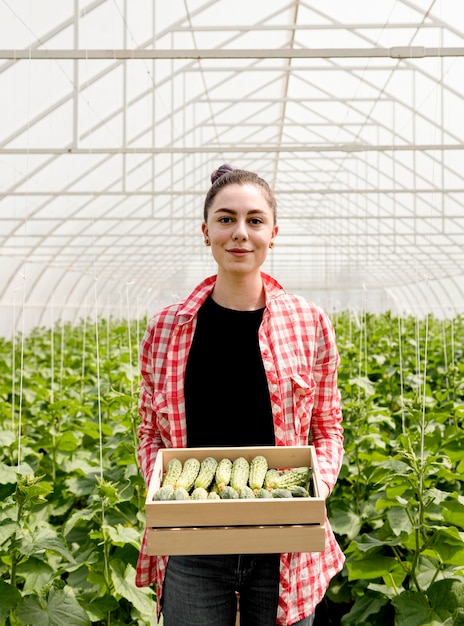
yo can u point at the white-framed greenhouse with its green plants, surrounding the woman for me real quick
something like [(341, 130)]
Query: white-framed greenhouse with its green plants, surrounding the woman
[(114, 114)]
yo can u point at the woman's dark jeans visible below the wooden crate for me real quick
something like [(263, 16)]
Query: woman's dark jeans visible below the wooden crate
[(201, 590)]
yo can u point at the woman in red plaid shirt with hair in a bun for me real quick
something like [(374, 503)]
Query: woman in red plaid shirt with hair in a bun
[(240, 362)]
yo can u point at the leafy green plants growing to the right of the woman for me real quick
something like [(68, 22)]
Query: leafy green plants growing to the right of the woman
[(402, 528)]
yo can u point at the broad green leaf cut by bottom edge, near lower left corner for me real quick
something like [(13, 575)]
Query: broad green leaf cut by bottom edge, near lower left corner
[(60, 608)]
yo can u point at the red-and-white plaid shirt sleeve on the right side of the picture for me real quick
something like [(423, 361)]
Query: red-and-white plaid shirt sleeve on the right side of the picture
[(326, 420)]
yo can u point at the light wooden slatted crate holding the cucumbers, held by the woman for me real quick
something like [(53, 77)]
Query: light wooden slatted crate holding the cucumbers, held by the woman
[(236, 526)]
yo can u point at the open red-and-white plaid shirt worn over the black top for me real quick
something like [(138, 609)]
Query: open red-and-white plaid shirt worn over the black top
[(300, 359)]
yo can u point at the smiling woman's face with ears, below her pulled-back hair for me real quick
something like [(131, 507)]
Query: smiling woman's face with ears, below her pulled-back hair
[(240, 227)]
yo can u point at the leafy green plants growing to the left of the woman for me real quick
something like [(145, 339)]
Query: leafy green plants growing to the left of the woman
[(72, 499)]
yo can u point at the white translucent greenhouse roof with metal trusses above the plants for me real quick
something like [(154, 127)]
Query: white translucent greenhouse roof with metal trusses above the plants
[(114, 114)]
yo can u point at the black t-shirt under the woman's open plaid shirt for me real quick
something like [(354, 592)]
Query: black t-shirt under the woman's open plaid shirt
[(226, 392)]
